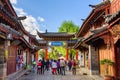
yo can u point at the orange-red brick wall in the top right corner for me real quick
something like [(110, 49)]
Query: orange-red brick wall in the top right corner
[(115, 6)]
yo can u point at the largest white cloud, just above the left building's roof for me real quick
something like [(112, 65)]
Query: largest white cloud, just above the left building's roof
[(30, 23)]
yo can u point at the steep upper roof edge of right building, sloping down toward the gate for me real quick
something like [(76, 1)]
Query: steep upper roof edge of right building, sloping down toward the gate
[(93, 13)]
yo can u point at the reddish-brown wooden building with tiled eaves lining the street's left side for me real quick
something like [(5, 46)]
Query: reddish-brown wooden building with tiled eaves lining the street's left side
[(17, 46)]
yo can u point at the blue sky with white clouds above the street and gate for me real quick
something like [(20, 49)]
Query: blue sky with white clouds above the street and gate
[(49, 14)]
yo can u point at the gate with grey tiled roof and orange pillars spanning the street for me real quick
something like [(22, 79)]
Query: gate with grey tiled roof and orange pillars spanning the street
[(57, 36)]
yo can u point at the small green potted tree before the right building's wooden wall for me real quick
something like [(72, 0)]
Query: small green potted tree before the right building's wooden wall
[(107, 63)]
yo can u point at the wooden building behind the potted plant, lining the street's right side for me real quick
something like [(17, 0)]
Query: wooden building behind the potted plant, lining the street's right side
[(98, 38)]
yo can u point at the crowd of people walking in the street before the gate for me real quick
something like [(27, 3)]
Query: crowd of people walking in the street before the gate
[(55, 66)]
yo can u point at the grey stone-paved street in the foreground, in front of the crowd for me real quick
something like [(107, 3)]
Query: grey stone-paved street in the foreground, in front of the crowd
[(48, 76)]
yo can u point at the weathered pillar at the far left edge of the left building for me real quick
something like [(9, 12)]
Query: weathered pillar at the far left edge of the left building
[(4, 58)]
